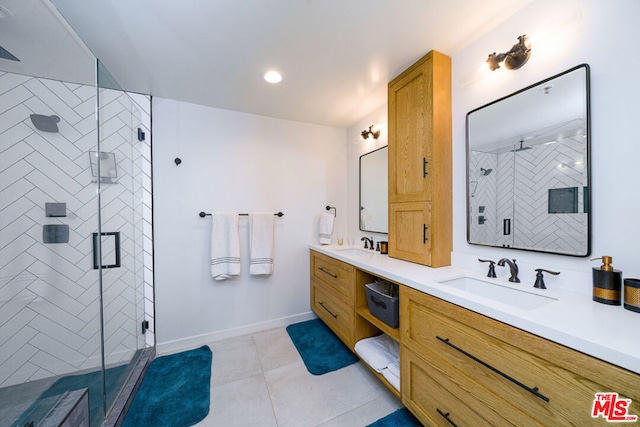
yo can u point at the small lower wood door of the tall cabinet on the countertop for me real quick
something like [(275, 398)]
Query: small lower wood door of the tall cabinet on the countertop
[(410, 231)]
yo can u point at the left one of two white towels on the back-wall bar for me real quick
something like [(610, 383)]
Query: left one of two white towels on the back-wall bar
[(225, 246)]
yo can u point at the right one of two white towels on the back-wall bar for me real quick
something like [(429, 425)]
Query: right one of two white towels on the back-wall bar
[(261, 262)]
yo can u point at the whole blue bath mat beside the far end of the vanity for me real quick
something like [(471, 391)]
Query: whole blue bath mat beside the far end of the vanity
[(321, 350)]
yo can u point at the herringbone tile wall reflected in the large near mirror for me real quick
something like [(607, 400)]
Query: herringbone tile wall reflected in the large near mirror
[(529, 175)]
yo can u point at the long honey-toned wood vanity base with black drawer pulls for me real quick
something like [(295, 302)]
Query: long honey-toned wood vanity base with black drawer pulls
[(459, 367)]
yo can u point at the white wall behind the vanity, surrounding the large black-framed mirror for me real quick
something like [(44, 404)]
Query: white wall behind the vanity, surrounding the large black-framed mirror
[(565, 33)]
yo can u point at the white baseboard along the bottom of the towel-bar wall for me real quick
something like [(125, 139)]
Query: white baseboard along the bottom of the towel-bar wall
[(199, 340)]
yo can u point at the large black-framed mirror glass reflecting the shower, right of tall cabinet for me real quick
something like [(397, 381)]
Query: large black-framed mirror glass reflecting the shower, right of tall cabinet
[(528, 175)]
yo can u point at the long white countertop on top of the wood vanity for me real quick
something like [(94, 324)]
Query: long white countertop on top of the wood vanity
[(607, 332)]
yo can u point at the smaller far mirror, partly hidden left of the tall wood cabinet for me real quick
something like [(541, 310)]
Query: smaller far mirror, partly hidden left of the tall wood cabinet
[(373, 191)]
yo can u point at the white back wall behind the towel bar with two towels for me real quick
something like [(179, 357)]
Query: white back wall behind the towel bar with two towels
[(241, 163)]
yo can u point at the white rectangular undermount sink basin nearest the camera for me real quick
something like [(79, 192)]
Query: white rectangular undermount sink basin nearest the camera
[(500, 293)]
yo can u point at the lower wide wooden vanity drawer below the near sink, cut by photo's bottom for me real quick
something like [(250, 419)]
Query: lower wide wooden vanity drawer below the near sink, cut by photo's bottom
[(446, 396)]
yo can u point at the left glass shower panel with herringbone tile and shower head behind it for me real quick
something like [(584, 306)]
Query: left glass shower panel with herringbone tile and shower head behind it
[(49, 293)]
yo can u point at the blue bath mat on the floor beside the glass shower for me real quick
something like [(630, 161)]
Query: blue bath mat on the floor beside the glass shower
[(175, 391)]
